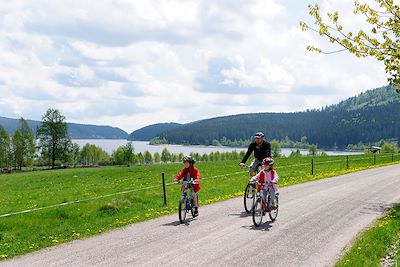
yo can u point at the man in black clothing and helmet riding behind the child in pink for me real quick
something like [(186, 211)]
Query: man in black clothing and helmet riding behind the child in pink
[(261, 149)]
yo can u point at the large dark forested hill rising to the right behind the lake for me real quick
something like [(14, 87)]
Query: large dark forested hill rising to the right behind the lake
[(366, 118)]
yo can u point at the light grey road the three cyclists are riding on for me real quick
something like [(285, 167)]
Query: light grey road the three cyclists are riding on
[(316, 221)]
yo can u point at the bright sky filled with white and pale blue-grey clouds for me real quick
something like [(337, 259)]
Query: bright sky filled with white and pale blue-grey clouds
[(132, 63)]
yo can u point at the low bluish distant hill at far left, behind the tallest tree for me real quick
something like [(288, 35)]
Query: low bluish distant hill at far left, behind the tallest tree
[(76, 131)]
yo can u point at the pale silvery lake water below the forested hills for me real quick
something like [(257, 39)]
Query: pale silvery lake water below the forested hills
[(110, 145)]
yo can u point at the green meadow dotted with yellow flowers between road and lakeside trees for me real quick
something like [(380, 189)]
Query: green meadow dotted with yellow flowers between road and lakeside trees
[(74, 203)]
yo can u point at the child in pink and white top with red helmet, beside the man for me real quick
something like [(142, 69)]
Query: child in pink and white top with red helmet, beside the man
[(269, 177)]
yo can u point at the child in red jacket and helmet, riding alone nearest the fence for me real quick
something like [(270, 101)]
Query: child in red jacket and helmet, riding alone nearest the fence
[(189, 172)]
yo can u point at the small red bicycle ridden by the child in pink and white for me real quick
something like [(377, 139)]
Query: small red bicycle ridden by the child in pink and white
[(262, 206)]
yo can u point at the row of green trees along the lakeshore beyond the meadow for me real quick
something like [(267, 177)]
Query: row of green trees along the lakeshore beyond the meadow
[(51, 146)]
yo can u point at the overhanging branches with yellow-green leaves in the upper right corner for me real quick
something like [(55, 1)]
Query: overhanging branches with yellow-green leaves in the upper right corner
[(381, 43)]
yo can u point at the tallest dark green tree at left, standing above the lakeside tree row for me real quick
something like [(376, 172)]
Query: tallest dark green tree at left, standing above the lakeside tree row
[(54, 141)]
